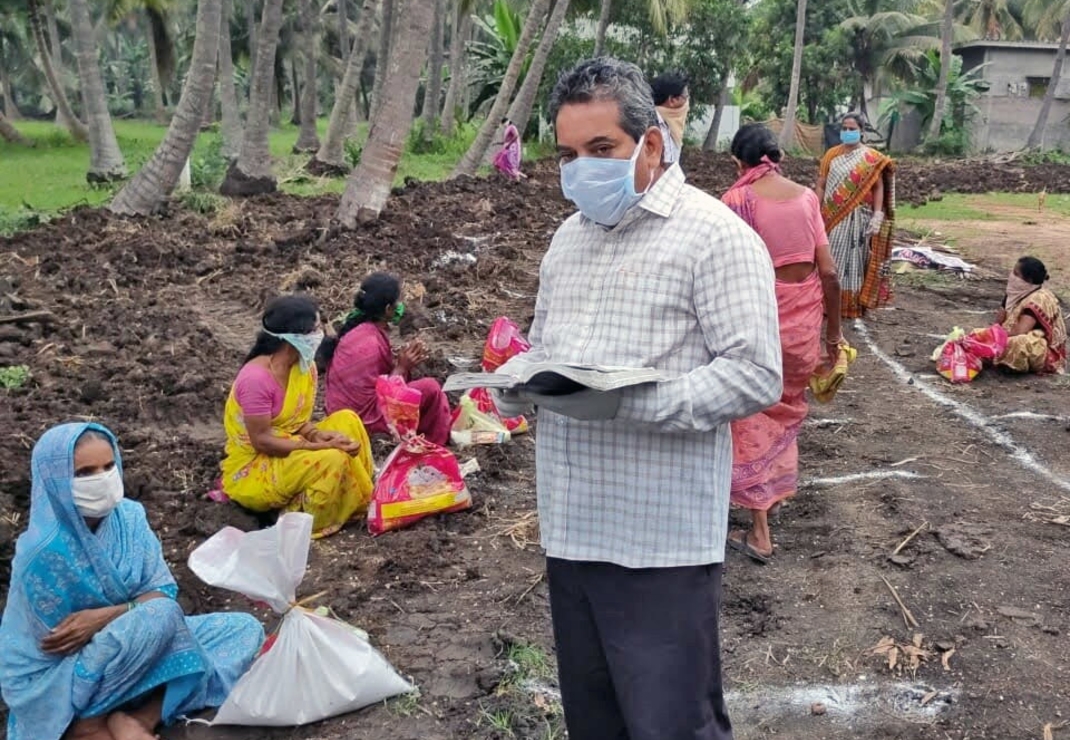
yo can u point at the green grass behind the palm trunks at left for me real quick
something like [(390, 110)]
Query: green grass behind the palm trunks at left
[(39, 182)]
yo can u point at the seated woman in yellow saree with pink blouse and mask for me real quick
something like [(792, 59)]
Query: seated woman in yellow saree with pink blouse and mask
[(277, 458)]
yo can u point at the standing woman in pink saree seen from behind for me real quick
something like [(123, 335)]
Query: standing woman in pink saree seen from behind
[(788, 219)]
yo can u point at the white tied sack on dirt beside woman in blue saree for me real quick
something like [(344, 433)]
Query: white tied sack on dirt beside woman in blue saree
[(314, 667)]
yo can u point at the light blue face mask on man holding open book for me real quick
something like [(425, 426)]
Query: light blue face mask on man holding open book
[(603, 190)]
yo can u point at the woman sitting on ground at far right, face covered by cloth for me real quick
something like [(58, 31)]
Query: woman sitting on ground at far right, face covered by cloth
[(1034, 321)]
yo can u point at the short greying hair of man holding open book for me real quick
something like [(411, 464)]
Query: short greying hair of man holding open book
[(605, 79)]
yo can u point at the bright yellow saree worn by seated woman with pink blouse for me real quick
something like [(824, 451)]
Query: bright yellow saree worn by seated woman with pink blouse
[(330, 485)]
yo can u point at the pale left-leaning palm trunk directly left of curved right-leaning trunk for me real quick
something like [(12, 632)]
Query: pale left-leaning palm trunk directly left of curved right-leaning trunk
[(105, 159)]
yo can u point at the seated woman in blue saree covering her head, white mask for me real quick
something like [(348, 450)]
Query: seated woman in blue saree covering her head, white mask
[(93, 643)]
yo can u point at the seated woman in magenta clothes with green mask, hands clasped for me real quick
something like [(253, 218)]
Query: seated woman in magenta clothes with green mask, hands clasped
[(362, 353)]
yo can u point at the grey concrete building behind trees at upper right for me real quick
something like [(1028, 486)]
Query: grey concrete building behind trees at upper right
[(1018, 73)]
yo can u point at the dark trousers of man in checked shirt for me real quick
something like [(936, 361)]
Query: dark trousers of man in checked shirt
[(639, 652)]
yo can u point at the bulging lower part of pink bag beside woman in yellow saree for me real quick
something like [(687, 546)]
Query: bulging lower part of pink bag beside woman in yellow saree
[(419, 480)]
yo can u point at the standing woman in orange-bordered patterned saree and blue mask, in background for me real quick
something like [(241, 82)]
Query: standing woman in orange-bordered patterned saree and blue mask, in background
[(858, 192)]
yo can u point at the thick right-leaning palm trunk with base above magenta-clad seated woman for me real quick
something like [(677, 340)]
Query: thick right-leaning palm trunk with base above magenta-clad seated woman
[(370, 183)]
